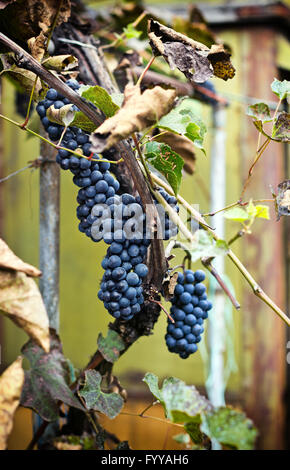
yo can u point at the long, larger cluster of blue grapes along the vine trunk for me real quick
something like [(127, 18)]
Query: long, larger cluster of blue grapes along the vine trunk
[(105, 215)]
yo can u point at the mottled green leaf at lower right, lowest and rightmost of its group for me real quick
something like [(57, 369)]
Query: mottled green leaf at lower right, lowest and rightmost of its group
[(229, 427)]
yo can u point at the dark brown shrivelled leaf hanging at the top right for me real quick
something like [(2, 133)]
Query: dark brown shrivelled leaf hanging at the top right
[(194, 59)]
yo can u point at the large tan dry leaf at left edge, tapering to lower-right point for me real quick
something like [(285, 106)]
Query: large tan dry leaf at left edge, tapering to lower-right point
[(20, 300)]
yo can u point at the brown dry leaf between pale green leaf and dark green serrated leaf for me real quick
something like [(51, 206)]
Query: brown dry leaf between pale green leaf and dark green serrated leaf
[(183, 146)]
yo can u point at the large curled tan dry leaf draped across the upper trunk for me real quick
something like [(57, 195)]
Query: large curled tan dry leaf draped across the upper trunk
[(138, 111)]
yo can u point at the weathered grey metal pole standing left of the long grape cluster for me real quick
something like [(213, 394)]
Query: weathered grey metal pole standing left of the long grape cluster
[(49, 193)]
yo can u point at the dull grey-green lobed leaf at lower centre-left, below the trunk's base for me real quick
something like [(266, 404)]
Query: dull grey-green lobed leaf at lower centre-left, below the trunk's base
[(108, 403)]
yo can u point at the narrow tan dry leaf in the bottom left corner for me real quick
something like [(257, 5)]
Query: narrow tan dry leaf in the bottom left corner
[(11, 383)]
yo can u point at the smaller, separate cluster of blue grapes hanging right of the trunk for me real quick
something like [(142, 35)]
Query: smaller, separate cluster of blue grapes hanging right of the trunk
[(190, 307)]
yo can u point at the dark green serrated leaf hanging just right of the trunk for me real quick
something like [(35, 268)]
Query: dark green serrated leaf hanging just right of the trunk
[(168, 162)]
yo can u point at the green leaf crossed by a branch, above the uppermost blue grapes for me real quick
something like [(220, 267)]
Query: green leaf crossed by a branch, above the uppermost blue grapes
[(101, 99)]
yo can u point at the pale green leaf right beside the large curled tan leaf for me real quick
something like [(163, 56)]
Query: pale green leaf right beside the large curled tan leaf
[(183, 120)]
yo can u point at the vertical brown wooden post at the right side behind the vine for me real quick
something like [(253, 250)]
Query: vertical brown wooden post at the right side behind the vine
[(264, 351)]
